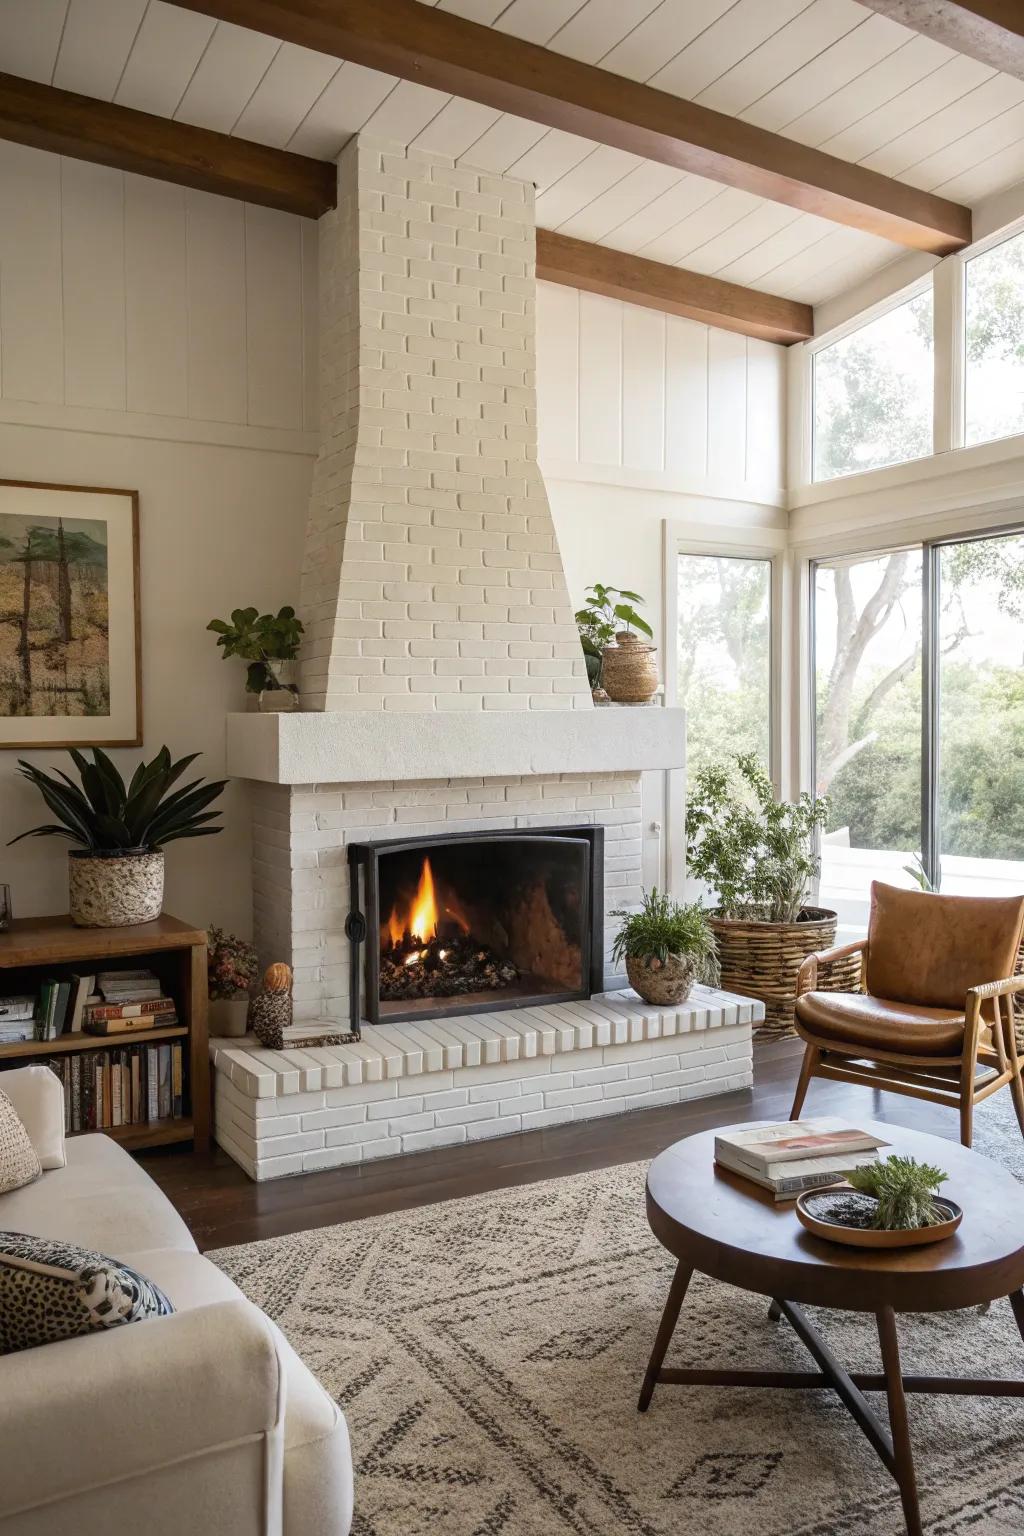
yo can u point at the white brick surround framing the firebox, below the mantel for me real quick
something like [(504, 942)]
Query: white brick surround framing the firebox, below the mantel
[(302, 872)]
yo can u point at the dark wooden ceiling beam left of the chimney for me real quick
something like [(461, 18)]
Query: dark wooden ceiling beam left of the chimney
[(154, 147)]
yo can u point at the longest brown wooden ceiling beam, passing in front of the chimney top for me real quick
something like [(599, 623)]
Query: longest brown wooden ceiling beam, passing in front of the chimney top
[(441, 50)]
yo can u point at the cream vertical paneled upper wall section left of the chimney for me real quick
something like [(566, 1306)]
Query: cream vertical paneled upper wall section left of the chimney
[(134, 296)]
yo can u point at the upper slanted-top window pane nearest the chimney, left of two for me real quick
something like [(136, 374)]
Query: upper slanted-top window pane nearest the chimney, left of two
[(873, 394)]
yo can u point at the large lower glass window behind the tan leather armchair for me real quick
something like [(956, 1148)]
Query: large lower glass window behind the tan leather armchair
[(919, 710)]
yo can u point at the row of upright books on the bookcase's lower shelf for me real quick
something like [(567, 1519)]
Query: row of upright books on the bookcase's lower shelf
[(124, 1087)]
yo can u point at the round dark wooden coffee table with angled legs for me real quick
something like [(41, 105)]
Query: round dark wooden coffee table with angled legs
[(722, 1226)]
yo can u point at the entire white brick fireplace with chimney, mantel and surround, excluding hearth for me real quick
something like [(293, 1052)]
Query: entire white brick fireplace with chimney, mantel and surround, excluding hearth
[(434, 595)]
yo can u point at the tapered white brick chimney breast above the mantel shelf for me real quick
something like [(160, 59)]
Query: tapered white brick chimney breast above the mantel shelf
[(432, 577)]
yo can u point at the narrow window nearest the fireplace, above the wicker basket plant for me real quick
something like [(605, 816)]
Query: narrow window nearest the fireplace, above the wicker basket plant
[(724, 652)]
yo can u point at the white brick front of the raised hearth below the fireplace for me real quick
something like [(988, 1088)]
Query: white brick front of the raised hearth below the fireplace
[(282, 1134)]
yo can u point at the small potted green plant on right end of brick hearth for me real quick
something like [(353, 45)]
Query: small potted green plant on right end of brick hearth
[(667, 947)]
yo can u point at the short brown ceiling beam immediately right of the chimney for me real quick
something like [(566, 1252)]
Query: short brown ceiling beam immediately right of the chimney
[(596, 270)]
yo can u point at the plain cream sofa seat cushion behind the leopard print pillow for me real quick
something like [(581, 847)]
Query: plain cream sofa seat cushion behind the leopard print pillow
[(102, 1199)]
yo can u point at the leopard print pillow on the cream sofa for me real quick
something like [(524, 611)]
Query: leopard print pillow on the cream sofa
[(53, 1291)]
